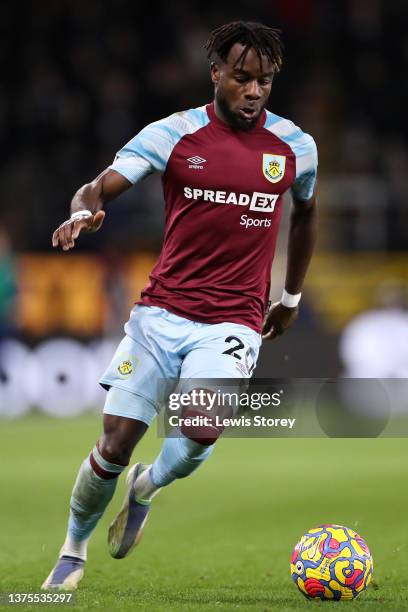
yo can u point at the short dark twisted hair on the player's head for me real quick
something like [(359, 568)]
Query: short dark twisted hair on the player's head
[(253, 35)]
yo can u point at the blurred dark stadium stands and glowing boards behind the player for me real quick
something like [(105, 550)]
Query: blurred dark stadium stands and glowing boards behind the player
[(79, 79)]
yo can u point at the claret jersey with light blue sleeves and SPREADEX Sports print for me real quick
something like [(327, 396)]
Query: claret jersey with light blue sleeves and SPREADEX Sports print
[(223, 193)]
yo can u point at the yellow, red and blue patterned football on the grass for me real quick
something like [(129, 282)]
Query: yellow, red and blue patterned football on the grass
[(331, 562)]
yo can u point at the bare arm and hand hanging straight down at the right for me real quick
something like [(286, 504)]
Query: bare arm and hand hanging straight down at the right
[(302, 239)]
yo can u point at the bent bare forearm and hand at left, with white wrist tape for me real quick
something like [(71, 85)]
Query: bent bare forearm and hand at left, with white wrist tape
[(86, 207)]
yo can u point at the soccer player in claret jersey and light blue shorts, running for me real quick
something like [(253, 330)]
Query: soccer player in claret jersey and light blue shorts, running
[(225, 167)]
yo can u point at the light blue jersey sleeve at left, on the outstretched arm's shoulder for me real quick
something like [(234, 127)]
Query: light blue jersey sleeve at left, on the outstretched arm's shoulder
[(150, 150)]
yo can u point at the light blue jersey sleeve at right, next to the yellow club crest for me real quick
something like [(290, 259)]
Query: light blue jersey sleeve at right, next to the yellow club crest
[(306, 168)]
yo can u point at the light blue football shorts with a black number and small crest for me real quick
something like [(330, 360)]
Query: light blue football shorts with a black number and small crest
[(160, 348)]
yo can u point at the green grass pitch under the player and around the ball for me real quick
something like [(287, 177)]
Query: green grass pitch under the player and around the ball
[(219, 540)]
